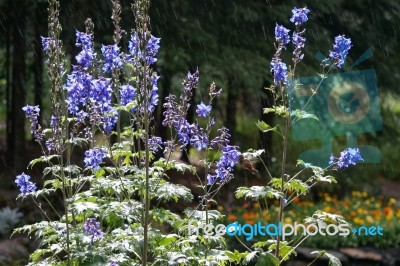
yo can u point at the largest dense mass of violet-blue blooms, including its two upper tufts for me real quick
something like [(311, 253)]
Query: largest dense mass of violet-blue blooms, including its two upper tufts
[(88, 97)]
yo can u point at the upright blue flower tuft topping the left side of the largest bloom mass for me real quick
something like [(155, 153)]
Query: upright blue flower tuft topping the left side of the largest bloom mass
[(87, 55)]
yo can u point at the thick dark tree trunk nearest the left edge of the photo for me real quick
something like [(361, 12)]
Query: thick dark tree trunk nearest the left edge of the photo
[(16, 118)]
